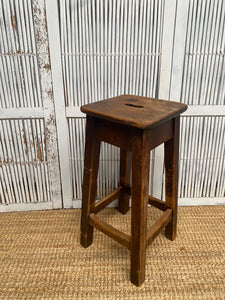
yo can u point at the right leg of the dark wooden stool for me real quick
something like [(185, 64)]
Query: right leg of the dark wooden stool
[(171, 184)]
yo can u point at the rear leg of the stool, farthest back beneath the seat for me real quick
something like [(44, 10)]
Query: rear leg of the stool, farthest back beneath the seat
[(125, 162)]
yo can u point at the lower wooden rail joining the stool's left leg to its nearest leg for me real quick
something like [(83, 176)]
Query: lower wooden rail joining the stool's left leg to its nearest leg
[(111, 231)]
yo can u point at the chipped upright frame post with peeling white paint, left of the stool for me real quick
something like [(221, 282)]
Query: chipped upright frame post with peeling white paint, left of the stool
[(43, 56)]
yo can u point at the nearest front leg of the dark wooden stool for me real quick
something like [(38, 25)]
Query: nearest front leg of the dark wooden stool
[(140, 182)]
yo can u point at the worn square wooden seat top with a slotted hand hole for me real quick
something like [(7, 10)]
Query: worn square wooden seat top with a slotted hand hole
[(135, 111)]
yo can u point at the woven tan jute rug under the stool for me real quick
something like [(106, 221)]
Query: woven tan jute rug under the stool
[(41, 258)]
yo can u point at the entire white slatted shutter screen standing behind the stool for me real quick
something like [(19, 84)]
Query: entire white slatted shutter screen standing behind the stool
[(99, 49)]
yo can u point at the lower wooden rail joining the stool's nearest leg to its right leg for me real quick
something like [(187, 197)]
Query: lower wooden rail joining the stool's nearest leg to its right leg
[(157, 227)]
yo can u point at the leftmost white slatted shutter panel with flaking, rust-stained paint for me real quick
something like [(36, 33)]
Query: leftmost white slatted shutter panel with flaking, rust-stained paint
[(29, 169)]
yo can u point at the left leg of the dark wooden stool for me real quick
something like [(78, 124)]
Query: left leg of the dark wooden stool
[(89, 189)]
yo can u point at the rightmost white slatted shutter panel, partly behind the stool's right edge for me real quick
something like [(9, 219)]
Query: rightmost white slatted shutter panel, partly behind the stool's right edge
[(198, 79)]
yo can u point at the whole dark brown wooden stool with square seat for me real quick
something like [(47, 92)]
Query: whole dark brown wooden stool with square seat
[(137, 125)]
